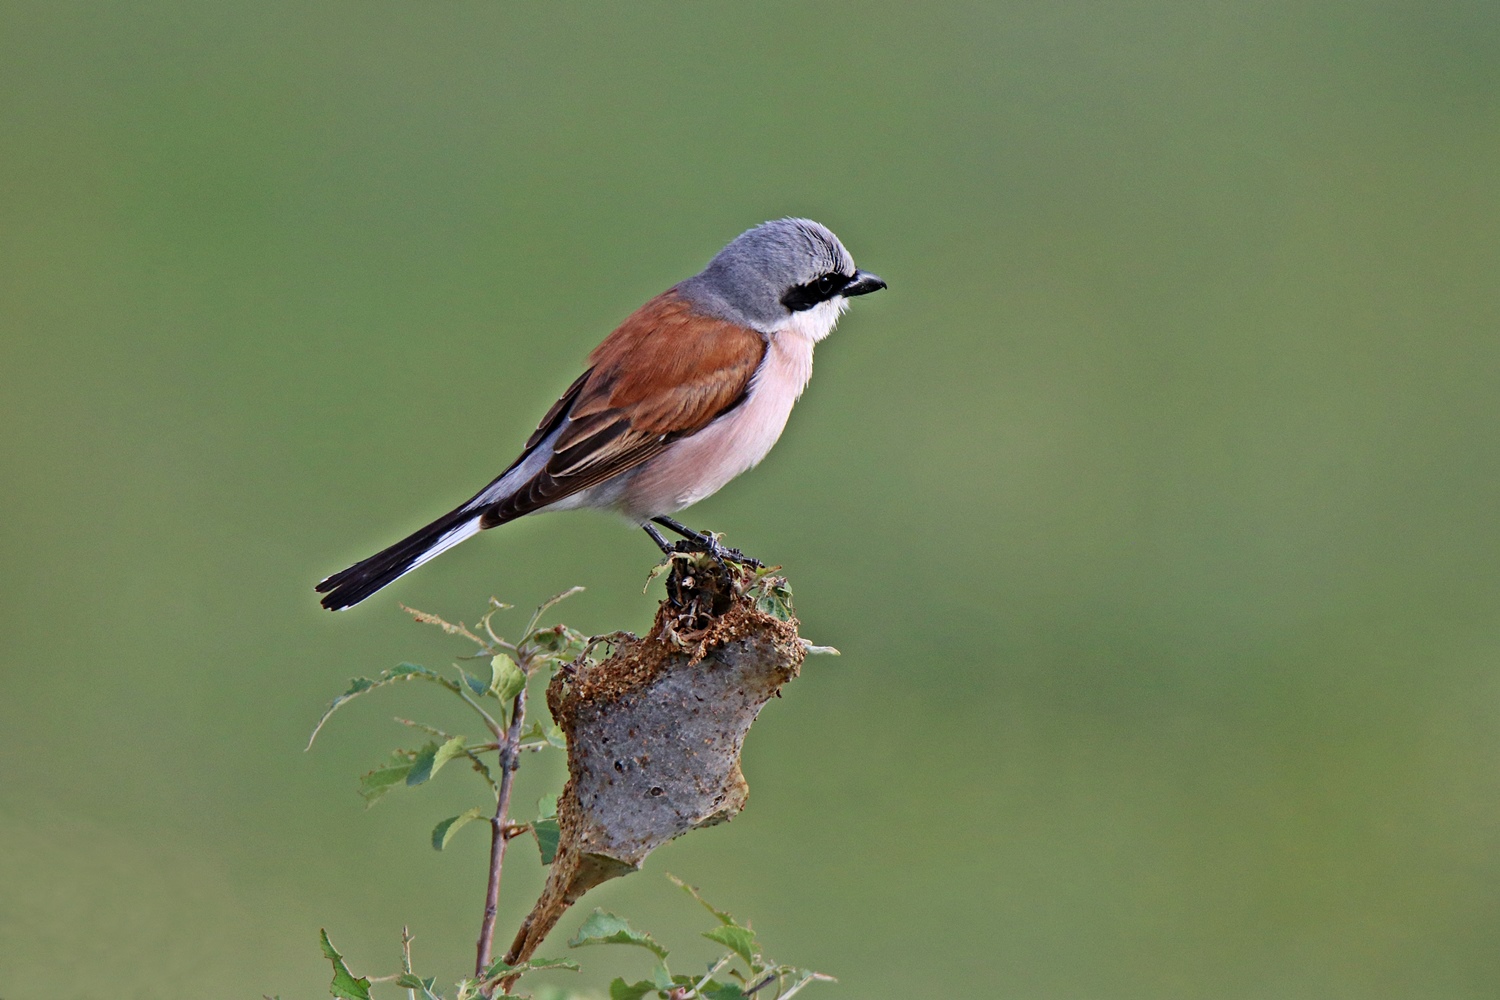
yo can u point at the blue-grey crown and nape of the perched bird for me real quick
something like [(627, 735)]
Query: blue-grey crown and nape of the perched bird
[(748, 280)]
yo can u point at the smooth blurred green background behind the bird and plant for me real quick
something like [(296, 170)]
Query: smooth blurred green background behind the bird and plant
[(1154, 507)]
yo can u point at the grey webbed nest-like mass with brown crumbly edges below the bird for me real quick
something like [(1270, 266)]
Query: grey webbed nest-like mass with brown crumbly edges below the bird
[(655, 734)]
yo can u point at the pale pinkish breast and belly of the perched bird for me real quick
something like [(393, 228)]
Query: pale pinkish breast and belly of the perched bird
[(700, 466)]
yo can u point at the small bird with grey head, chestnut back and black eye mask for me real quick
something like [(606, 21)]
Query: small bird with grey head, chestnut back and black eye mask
[(689, 392)]
